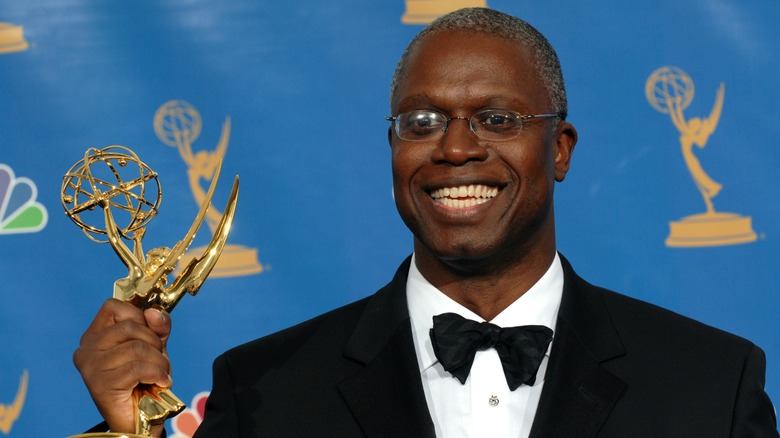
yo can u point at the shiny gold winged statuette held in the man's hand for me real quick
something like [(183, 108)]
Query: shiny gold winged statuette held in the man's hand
[(112, 196)]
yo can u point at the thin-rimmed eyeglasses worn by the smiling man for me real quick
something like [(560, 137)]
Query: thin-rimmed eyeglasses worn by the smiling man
[(490, 124)]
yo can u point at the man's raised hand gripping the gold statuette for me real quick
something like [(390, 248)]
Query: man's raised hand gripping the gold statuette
[(123, 347)]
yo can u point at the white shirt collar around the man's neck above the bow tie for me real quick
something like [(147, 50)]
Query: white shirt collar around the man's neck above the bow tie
[(538, 306)]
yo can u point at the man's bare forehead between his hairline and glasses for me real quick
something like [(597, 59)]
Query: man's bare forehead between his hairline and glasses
[(470, 69)]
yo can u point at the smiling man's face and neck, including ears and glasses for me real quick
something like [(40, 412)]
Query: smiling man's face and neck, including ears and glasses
[(473, 114)]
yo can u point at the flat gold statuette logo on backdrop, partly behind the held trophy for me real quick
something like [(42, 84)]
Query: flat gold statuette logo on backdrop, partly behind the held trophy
[(178, 124)]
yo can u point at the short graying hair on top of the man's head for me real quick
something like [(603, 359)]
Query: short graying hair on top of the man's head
[(492, 22)]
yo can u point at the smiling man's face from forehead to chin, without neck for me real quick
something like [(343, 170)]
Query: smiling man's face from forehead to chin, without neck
[(458, 74)]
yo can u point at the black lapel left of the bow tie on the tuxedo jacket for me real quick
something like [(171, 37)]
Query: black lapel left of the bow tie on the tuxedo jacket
[(386, 396)]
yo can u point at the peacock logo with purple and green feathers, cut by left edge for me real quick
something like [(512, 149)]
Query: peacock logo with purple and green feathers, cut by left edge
[(20, 212)]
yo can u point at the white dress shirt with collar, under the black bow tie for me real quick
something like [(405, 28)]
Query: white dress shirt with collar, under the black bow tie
[(483, 406)]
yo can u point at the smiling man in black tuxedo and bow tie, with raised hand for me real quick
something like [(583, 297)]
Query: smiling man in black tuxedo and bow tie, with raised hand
[(478, 139)]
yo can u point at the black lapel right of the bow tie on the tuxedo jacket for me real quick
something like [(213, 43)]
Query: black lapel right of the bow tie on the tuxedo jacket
[(579, 393)]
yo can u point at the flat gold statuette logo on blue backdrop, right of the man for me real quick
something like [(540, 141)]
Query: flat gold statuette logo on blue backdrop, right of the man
[(670, 90)]
